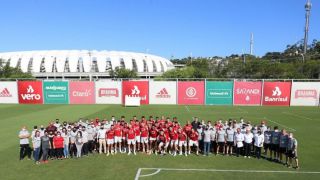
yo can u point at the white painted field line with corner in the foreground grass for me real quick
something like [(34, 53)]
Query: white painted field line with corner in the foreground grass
[(218, 170)]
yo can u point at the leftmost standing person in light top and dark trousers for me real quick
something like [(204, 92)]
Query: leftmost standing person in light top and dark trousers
[(25, 149)]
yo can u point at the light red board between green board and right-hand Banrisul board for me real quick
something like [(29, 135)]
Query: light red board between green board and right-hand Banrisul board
[(247, 93)]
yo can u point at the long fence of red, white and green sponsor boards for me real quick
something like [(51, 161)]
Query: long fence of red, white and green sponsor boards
[(238, 92)]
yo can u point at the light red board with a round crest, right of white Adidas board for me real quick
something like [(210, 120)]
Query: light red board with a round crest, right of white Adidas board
[(191, 92)]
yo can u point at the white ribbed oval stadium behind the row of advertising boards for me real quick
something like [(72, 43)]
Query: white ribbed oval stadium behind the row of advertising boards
[(84, 63)]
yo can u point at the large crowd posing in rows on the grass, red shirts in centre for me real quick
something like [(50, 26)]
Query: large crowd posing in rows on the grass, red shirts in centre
[(158, 136)]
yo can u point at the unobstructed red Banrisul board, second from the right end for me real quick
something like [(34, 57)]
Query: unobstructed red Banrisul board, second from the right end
[(276, 93)]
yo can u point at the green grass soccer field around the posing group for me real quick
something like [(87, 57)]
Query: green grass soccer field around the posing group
[(303, 121)]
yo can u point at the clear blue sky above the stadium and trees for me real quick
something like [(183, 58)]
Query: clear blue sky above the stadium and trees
[(168, 28)]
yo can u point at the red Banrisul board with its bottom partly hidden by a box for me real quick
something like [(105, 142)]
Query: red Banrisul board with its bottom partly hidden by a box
[(136, 89)]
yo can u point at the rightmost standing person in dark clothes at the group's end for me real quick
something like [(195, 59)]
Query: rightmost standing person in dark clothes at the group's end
[(292, 152)]
